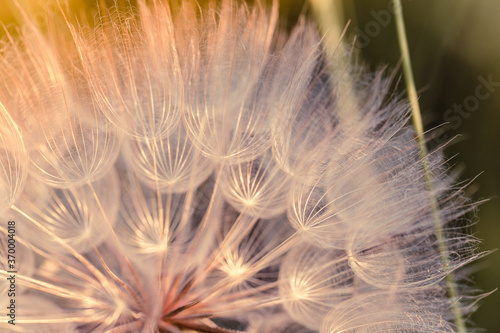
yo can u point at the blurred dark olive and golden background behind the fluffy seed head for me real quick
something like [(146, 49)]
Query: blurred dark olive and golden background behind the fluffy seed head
[(455, 50)]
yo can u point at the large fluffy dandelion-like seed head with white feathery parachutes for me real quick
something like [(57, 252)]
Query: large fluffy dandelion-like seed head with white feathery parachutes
[(194, 168)]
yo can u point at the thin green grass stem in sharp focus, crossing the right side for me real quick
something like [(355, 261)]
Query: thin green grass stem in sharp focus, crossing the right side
[(419, 129)]
